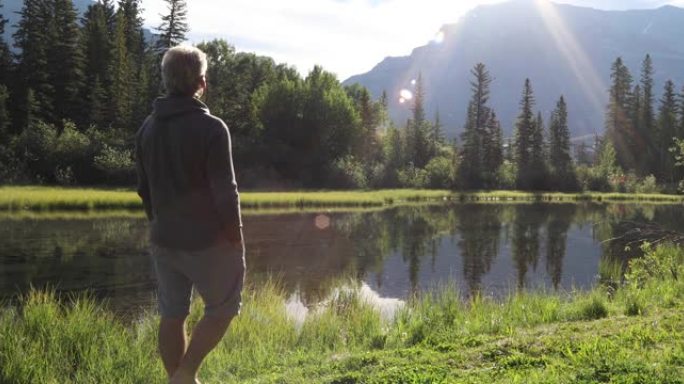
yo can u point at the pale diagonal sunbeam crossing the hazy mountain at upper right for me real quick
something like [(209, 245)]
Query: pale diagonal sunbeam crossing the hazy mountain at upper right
[(586, 75)]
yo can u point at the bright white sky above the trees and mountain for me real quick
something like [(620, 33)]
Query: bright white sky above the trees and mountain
[(346, 37)]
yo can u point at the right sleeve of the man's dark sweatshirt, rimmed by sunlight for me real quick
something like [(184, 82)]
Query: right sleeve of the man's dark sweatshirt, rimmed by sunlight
[(221, 175)]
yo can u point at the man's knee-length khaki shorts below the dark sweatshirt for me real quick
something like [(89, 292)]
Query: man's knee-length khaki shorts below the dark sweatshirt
[(217, 273)]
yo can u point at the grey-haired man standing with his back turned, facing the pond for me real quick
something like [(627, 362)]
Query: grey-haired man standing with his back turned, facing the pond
[(187, 185)]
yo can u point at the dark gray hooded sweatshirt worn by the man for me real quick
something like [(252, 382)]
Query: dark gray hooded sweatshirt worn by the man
[(186, 177)]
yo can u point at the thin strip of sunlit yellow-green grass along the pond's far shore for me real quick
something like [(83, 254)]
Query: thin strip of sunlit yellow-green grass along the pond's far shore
[(54, 198)]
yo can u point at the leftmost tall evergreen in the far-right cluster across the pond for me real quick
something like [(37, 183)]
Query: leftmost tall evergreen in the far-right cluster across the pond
[(619, 127)]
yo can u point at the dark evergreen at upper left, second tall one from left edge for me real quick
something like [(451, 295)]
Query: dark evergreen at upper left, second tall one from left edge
[(66, 62)]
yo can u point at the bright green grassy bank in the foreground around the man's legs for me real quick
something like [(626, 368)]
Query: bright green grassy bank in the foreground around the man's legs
[(632, 335)]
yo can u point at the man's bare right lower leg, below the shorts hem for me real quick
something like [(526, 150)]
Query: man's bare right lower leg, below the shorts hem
[(206, 335)]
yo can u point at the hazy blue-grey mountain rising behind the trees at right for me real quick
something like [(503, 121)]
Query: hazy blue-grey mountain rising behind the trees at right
[(563, 49)]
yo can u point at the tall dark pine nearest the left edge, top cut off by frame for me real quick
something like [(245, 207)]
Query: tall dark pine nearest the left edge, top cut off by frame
[(32, 40)]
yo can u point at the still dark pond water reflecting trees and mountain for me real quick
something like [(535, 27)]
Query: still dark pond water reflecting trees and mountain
[(487, 248)]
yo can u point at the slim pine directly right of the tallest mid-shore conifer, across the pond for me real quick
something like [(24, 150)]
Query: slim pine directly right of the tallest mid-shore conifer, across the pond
[(524, 139)]
